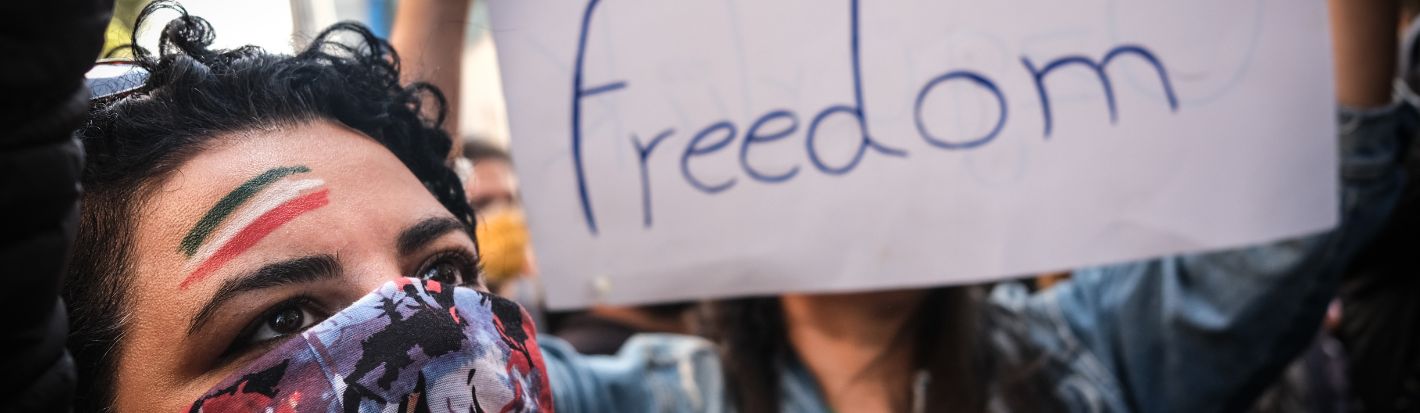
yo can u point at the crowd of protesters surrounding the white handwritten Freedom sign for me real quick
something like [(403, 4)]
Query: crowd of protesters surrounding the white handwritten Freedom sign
[(235, 231)]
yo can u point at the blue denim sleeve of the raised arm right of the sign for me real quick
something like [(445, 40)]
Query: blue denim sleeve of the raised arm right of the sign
[(1208, 333)]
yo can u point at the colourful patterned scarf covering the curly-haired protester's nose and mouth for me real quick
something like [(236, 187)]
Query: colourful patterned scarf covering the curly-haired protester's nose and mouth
[(410, 347)]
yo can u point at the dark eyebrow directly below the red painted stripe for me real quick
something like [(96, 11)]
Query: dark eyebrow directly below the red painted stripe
[(276, 275)]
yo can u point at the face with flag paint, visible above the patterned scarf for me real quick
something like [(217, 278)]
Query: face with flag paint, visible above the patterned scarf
[(262, 236)]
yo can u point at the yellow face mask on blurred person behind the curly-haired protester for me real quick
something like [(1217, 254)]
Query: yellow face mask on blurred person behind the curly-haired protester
[(503, 246)]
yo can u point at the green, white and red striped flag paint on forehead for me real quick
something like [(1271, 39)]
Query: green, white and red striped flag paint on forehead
[(246, 215)]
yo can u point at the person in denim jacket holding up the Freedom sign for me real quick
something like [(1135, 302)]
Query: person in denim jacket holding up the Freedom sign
[(1202, 333)]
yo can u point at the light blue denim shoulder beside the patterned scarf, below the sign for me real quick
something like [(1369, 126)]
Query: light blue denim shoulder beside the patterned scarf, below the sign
[(652, 373)]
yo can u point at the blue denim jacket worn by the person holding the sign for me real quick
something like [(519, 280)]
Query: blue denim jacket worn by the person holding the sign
[(1202, 333)]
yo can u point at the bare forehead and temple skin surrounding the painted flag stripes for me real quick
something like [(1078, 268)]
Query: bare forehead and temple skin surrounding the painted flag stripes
[(373, 197)]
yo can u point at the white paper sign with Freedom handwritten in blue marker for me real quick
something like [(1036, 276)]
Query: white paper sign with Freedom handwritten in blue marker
[(705, 150)]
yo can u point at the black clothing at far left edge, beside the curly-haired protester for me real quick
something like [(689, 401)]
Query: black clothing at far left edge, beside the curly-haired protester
[(48, 48)]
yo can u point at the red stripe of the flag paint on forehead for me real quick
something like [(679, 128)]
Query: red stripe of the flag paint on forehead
[(263, 226)]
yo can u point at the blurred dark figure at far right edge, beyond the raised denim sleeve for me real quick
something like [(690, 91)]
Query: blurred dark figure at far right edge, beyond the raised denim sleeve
[(1368, 356)]
